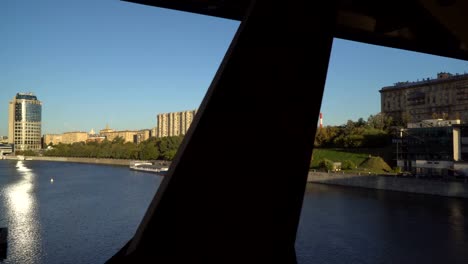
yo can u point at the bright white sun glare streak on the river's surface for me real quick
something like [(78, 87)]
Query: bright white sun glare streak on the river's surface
[(21, 212)]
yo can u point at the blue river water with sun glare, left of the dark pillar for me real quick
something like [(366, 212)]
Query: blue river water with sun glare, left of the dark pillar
[(85, 215)]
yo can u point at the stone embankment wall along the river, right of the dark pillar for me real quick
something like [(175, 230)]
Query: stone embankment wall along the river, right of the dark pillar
[(391, 183)]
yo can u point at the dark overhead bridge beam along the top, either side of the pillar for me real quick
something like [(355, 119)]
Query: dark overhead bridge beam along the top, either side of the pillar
[(429, 26)]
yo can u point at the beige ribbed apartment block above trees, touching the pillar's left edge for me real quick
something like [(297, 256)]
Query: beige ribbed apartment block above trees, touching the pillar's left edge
[(175, 123)]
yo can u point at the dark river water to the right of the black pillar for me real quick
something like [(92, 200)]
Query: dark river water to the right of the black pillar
[(354, 225)]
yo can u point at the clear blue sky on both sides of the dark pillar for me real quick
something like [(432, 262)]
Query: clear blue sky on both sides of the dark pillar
[(102, 62)]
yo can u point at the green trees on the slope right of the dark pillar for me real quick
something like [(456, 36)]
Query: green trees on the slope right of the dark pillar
[(375, 132)]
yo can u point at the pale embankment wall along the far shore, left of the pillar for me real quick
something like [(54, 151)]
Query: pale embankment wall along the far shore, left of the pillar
[(117, 162)]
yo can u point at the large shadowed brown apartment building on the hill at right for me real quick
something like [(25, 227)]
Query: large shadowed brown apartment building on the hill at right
[(444, 97)]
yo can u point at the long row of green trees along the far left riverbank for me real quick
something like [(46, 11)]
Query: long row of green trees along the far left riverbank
[(152, 149)]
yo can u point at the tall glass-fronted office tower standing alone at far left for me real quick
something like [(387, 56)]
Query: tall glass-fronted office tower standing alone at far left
[(24, 122)]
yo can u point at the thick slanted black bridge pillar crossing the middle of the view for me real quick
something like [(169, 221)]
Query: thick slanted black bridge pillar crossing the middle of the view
[(234, 192)]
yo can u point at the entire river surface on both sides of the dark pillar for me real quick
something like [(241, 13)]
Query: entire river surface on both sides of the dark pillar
[(90, 211)]
